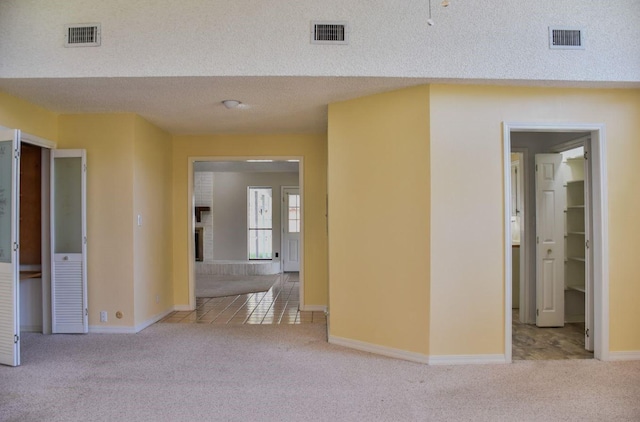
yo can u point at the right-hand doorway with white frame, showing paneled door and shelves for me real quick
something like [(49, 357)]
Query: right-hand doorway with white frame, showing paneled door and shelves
[(579, 273)]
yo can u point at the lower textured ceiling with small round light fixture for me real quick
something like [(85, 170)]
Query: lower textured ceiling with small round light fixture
[(192, 105)]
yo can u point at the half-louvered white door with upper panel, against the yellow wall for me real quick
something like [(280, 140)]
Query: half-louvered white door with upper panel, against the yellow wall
[(68, 242)]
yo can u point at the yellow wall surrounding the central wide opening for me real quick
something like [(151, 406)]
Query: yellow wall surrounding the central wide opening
[(314, 151)]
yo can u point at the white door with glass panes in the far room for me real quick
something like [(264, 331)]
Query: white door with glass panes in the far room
[(291, 224)]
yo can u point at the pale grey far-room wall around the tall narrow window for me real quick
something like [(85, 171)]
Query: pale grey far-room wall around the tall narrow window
[(229, 212)]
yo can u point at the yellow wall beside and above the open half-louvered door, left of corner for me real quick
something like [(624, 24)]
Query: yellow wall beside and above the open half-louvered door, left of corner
[(109, 141)]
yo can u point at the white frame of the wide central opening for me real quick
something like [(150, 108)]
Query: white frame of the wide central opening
[(191, 255)]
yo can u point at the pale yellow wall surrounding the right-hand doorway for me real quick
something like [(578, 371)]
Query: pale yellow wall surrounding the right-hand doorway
[(467, 271)]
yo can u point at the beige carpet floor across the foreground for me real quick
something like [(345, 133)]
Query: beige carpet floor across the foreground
[(176, 372)]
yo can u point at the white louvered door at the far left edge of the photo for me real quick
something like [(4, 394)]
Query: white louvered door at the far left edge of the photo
[(9, 255)]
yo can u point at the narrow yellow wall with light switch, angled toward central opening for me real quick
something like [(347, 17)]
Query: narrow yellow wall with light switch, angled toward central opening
[(152, 240)]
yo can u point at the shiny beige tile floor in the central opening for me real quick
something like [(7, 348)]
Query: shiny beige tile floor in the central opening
[(279, 305)]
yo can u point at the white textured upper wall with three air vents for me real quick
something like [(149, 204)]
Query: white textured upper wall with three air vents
[(491, 39)]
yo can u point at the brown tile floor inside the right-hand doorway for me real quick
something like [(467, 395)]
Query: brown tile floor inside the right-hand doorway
[(534, 343)]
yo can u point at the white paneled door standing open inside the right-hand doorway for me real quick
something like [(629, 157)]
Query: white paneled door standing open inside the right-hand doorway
[(550, 206)]
